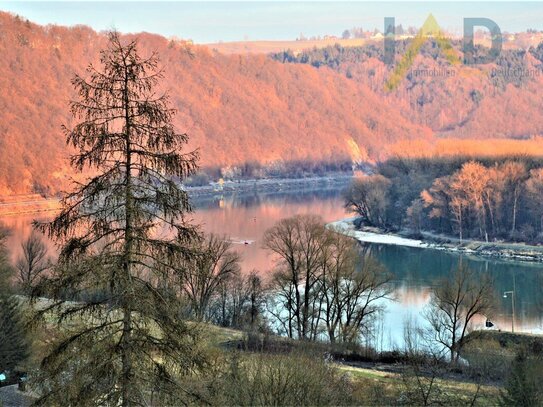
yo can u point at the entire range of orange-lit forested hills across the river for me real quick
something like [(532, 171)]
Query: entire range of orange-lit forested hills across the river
[(326, 107)]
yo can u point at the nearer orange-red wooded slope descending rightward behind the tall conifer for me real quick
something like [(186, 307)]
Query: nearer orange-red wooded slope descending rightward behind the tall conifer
[(237, 109)]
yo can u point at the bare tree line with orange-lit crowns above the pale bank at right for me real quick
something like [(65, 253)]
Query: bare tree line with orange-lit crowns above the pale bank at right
[(480, 199)]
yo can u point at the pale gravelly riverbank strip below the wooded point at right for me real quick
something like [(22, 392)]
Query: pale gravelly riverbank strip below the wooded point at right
[(506, 251)]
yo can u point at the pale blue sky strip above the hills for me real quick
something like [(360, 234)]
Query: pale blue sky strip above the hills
[(207, 21)]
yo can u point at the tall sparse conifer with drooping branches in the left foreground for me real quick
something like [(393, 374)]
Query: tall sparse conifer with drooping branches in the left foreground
[(121, 233)]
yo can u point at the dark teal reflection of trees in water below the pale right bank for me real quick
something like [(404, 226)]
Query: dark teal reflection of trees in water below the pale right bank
[(424, 267)]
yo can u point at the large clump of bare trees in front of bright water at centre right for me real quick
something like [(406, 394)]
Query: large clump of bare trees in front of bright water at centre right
[(322, 285)]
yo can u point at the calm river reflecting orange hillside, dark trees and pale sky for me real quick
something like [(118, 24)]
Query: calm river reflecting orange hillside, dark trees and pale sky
[(245, 217)]
